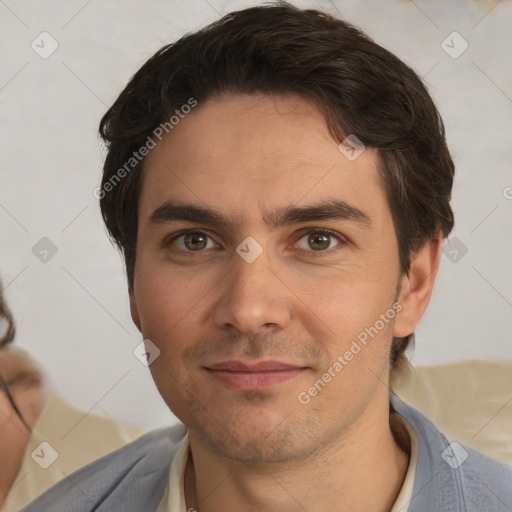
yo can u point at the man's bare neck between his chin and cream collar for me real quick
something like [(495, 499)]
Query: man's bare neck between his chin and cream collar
[(362, 471)]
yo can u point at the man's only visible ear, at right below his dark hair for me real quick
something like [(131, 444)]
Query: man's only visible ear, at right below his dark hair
[(417, 286)]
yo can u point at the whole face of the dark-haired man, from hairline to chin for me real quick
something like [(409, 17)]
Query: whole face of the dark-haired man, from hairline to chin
[(243, 336)]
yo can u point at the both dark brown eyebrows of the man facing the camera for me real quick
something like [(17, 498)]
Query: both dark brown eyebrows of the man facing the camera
[(326, 210)]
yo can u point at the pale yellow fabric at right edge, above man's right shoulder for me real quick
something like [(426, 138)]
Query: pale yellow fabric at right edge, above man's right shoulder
[(470, 402)]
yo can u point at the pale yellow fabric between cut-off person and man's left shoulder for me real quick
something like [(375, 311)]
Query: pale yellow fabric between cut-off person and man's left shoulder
[(76, 436)]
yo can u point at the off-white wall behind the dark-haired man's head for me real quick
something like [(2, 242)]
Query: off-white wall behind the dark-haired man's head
[(65, 281)]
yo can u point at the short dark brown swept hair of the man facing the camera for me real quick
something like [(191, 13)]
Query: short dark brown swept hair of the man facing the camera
[(361, 88)]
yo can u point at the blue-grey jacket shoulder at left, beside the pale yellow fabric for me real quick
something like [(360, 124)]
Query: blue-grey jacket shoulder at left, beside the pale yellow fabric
[(131, 478)]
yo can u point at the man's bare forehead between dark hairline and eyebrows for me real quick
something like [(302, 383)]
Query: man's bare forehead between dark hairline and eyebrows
[(247, 154)]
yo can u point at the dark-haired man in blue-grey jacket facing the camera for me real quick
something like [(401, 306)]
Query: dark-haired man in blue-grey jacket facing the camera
[(279, 187)]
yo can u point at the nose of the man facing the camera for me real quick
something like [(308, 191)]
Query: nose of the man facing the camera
[(253, 299)]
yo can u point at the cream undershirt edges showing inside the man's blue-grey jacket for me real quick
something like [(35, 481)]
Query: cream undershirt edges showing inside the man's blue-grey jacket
[(173, 499)]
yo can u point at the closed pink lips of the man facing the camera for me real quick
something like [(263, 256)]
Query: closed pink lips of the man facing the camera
[(257, 376)]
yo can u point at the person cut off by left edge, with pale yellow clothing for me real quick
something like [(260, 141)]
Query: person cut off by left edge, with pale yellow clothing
[(31, 413)]
